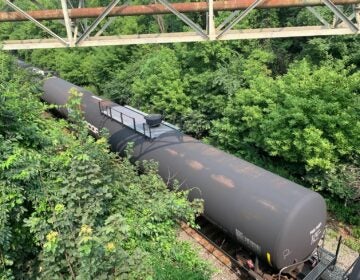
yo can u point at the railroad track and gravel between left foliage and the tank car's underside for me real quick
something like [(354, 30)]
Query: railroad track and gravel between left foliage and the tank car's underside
[(227, 251)]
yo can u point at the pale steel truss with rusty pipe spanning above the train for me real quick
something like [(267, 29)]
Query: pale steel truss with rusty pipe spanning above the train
[(77, 32)]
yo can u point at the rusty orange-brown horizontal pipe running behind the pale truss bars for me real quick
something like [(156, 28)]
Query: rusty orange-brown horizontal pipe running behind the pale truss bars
[(154, 9)]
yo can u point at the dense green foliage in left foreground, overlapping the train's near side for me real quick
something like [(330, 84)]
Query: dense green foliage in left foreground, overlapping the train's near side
[(69, 209)]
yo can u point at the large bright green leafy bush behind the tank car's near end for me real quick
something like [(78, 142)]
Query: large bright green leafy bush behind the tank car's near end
[(304, 119)]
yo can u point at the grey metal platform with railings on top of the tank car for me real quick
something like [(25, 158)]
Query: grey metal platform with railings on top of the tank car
[(135, 120)]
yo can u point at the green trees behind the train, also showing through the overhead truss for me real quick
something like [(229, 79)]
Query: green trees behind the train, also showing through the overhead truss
[(290, 105)]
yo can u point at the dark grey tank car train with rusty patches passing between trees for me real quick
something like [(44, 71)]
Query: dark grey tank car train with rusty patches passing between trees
[(279, 221)]
